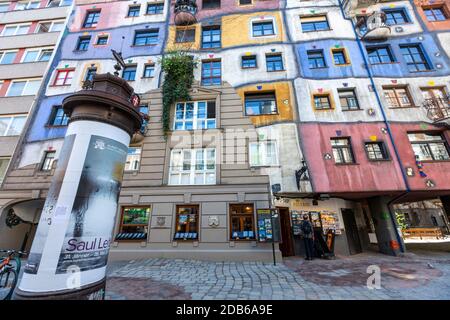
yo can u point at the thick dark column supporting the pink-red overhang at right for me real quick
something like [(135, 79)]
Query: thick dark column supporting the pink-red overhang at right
[(385, 226)]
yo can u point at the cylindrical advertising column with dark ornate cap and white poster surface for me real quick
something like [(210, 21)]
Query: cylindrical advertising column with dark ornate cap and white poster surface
[(69, 254)]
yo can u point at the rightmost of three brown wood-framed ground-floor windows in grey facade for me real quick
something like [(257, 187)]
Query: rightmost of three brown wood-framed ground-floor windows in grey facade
[(242, 223)]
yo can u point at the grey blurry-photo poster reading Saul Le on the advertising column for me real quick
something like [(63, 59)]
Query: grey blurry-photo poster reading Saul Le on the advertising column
[(88, 235)]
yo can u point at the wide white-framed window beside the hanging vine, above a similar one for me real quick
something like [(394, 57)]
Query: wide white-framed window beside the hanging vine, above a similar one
[(195, 115)]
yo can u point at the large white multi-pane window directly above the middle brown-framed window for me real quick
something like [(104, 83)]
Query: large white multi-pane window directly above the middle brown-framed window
[(192, 166)]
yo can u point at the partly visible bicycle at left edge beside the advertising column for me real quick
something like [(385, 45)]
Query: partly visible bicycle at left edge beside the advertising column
[(9, 273)]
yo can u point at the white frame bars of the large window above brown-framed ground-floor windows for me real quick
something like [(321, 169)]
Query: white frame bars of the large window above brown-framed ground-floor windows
[(177, 172)]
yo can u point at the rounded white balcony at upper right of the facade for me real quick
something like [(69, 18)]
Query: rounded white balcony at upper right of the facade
[(373, 27)]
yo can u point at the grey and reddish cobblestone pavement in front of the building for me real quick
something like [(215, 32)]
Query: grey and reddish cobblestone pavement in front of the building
[(414, 276)]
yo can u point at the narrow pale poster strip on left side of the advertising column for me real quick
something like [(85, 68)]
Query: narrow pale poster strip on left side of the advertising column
[(34, 259)]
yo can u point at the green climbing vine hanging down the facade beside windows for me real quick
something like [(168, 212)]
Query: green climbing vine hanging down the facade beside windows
[(178, 68)]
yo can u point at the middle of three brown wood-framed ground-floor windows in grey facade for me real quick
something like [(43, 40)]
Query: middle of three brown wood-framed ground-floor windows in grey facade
[(186, 222)]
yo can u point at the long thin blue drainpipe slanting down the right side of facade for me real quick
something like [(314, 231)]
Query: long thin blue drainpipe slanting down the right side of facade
[(386, 122)]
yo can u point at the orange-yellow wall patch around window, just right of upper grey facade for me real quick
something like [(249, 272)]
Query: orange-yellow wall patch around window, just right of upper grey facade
[(285, 102)]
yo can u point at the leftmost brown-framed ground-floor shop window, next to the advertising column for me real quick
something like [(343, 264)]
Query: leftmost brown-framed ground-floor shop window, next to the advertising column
[(134, 223)]
